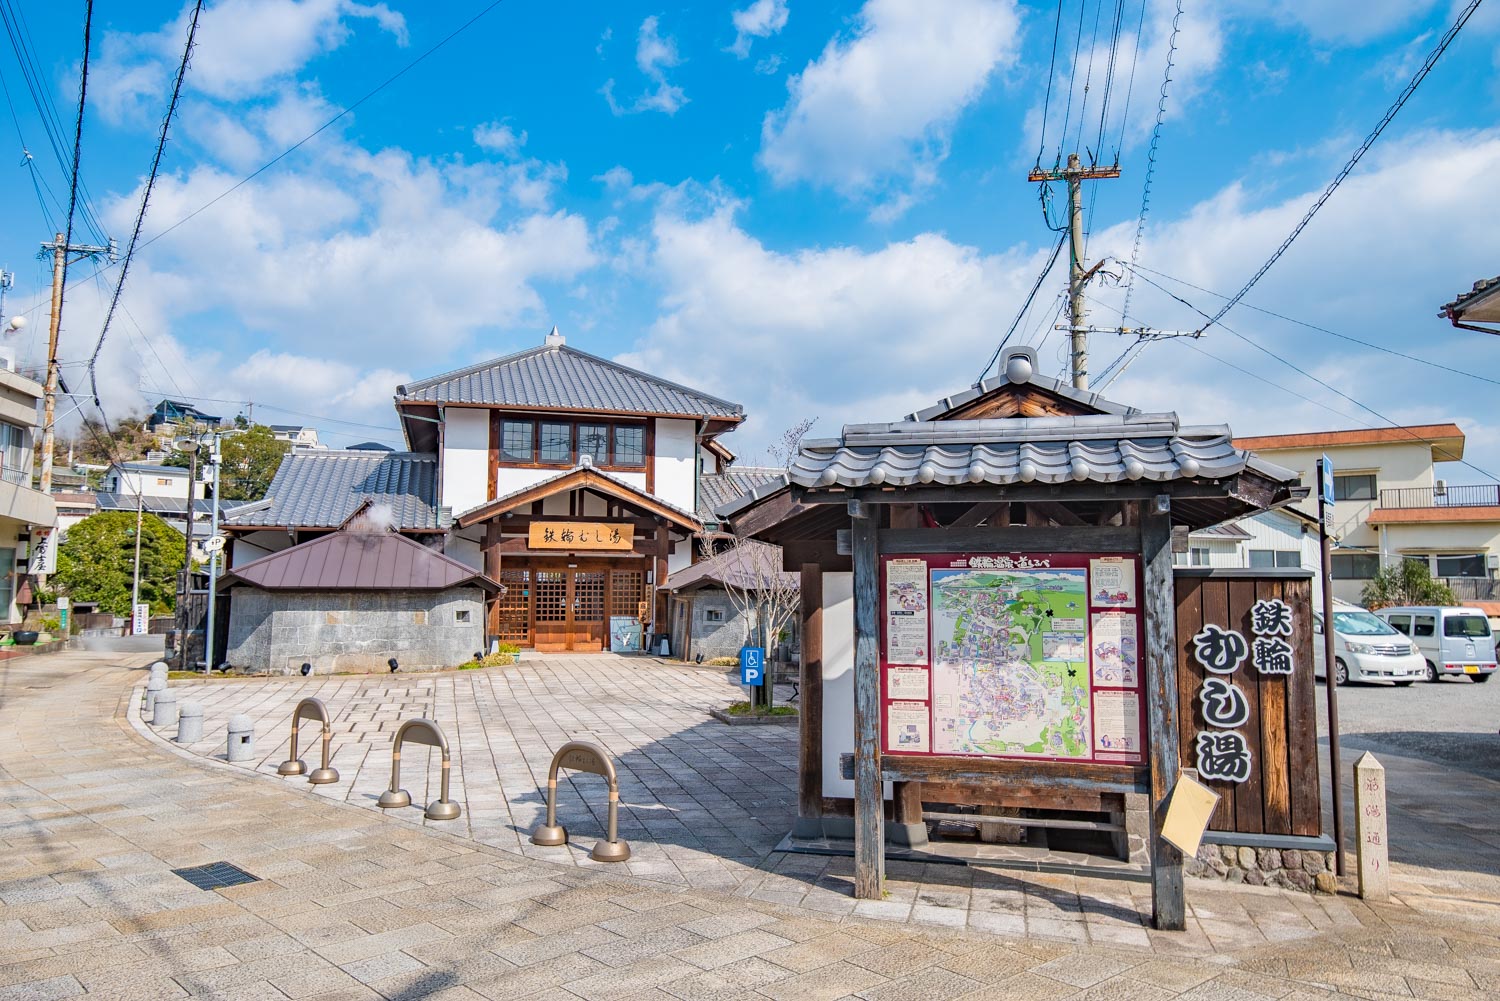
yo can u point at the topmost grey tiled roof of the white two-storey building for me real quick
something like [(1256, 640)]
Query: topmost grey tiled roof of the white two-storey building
[(559, 377)]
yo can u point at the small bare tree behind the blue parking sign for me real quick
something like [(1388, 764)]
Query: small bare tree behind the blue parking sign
[(764, 595)]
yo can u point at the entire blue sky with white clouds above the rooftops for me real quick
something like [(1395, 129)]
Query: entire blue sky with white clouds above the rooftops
[(817, 209)]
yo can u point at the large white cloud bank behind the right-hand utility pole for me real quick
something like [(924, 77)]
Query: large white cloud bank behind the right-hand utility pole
[(857, 335)]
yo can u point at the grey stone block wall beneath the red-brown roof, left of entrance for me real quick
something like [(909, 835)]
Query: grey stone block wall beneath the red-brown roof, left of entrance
[(355, 631)]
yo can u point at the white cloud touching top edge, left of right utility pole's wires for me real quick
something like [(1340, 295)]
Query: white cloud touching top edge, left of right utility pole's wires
[(871, 118)]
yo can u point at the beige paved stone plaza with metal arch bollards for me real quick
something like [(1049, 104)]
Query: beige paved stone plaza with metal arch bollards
[(358, 904)]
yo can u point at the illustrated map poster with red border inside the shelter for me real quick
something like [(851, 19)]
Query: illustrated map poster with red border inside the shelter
[(1013, 657)]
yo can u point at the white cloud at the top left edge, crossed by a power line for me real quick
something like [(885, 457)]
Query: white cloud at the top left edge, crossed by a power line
[(244, 50)]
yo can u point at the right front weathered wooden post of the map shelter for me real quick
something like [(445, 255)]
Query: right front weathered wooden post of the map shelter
[(1168, 903)]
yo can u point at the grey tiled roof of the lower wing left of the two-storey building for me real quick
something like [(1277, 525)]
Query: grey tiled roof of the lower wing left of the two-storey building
[(320, 490)]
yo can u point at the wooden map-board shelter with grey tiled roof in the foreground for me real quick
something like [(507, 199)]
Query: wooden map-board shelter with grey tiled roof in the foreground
[(1006, 559)]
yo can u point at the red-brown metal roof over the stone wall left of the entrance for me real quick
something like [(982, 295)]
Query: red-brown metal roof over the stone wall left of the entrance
[(359, 562)]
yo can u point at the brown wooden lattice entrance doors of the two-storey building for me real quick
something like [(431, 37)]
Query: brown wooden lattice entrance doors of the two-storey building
[(568, 609)]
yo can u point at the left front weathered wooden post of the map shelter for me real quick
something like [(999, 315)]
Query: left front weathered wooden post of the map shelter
[(869, 793)]
